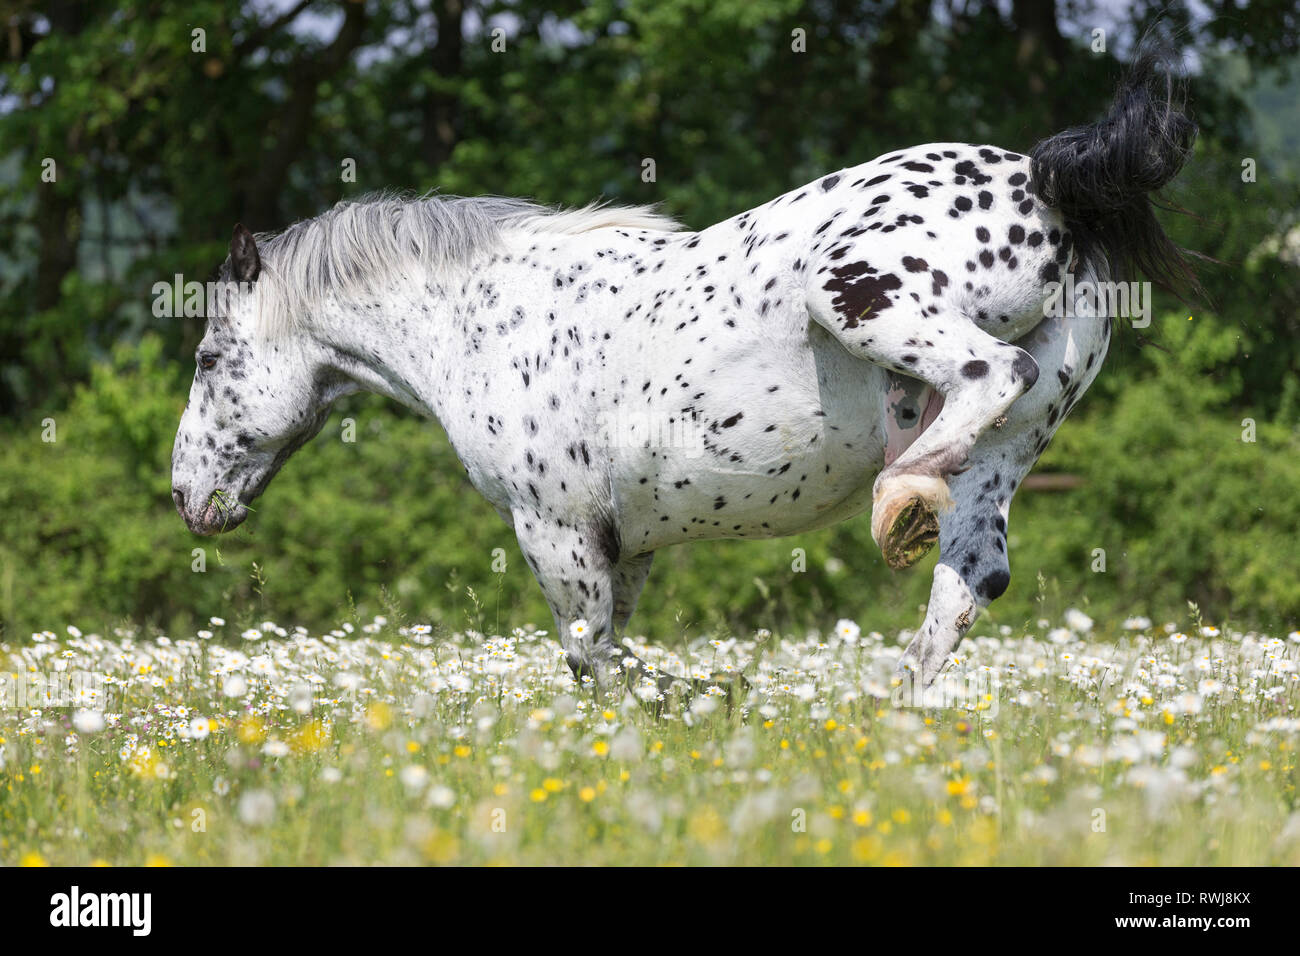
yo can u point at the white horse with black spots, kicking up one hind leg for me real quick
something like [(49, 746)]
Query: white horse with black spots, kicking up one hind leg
[(616, 386)]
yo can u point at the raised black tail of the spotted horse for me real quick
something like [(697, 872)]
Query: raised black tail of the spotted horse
[(1102, 176)]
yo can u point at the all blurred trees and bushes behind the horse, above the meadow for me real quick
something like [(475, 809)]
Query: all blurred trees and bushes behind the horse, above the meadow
[(161, 146)]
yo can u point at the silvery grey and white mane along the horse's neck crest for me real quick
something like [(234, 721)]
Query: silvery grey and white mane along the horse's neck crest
[(357, 244)]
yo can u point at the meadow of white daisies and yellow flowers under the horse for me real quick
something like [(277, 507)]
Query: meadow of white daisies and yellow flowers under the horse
[(1060, 745)]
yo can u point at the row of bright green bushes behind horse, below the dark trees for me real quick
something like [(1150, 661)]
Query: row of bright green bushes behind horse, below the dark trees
[(1184, 508)]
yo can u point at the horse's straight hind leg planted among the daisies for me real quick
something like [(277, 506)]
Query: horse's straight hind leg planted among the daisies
[(974, 568)]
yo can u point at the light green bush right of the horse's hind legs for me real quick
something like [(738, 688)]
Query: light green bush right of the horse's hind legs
[(1184, 504)]
